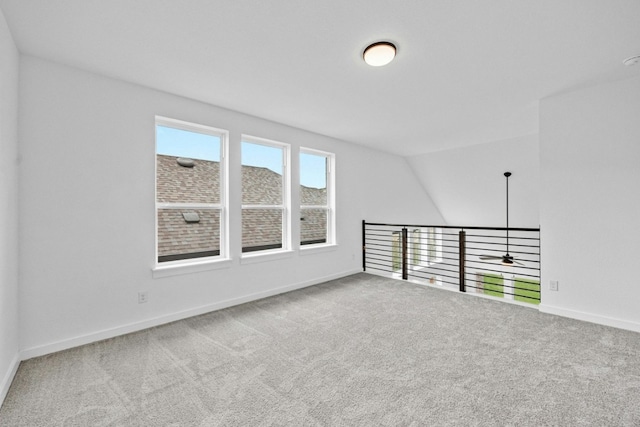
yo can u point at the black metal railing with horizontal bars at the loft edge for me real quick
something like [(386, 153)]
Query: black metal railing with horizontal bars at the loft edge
[(495, 261)]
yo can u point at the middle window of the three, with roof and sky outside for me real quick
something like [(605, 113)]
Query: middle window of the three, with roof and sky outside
[(265, 195)]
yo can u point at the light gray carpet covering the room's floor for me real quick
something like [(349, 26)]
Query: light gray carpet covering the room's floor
[(362, 351)]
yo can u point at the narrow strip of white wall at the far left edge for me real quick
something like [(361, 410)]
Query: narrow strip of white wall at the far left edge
[(8, 208)]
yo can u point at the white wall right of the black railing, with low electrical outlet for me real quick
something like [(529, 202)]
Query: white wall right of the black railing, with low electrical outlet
[(590, 203)]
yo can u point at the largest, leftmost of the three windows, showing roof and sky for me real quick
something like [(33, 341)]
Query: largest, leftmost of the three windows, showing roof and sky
[(190, 196)]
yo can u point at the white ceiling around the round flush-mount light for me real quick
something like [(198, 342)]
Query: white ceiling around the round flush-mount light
[(466, 72)]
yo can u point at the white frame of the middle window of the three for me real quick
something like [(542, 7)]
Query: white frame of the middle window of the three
[(286, 196)]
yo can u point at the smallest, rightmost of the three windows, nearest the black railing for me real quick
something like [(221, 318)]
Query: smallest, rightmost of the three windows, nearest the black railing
[(317, 212)]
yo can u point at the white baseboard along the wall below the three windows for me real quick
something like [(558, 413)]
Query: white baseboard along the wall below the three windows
[(172, 317)]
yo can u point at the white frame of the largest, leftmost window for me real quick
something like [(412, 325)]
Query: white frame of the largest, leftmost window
[(164, 268)]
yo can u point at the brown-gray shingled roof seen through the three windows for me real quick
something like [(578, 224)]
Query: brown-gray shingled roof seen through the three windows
[(261, 228)]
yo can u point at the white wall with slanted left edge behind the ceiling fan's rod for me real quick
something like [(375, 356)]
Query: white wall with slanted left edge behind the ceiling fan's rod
[(468, 185)]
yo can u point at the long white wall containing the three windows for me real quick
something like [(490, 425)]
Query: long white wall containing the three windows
[(87, 209)]
